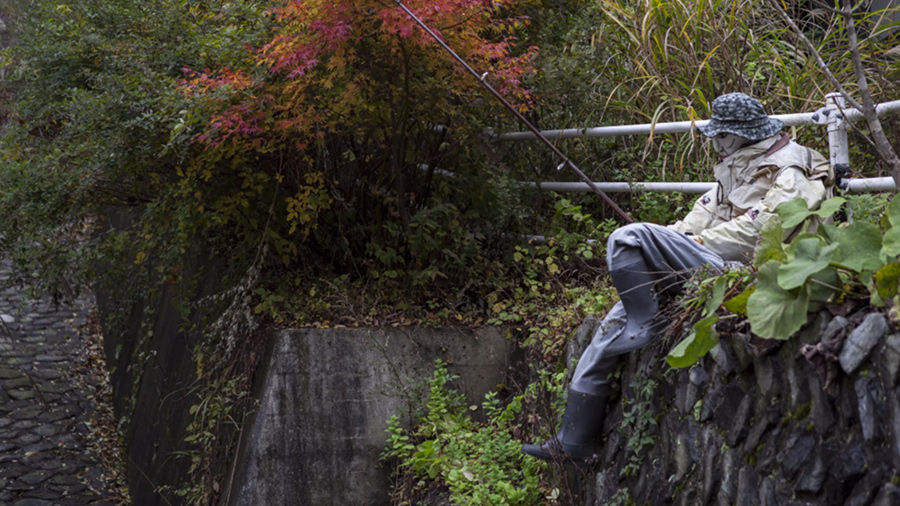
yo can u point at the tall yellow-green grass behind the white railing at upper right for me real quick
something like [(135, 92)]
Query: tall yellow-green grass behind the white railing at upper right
[(665, 60)]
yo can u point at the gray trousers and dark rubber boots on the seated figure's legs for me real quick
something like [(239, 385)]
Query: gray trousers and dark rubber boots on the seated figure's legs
[(642, 258)]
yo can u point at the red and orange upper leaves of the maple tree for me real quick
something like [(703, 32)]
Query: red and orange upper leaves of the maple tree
[(336, 66)]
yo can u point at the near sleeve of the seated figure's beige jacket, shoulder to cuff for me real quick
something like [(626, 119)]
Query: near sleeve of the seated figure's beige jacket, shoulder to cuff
[(736, 239)]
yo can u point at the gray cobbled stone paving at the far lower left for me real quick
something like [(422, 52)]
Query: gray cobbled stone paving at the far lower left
[(48, 402)]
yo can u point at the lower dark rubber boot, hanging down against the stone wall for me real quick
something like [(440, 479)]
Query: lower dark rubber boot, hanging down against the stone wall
[(579, 431)]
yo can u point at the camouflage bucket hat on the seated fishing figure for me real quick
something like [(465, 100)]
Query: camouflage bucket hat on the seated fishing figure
[(740, 114)]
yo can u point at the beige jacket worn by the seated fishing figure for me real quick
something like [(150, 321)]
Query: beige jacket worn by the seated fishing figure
[(751, 183)]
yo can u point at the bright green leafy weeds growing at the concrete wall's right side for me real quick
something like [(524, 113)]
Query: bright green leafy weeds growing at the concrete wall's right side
[(450, 454)]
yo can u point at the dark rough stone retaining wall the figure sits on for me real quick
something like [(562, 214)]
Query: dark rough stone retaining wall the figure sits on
[(757, 423)]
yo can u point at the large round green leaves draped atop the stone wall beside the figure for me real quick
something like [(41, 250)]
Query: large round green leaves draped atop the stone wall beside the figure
[(859, 259)]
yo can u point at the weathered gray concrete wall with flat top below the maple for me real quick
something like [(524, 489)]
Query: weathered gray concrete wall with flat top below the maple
[(325, 396)]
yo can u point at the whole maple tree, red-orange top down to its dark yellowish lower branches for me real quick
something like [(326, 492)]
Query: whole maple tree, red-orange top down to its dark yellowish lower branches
[(333, 117)]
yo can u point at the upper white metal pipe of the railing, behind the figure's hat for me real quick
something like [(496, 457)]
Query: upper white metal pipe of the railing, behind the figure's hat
[(803, 118)]
